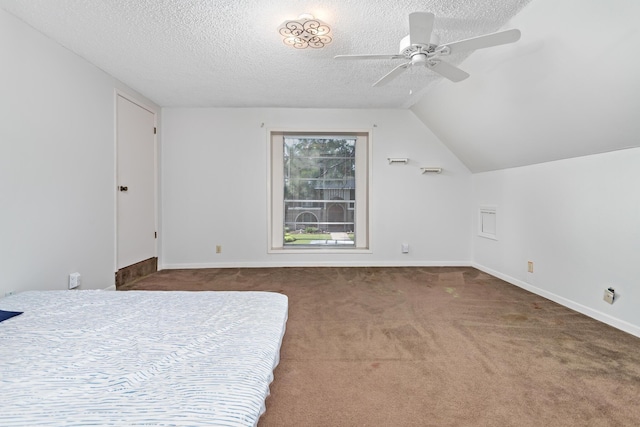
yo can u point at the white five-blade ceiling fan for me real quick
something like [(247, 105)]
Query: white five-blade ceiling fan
[(421, 47)]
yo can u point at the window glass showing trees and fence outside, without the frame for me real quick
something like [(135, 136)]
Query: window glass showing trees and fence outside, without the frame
[(319, 191)]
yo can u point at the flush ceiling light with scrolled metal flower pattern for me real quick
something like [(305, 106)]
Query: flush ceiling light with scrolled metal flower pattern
[(304, 32)]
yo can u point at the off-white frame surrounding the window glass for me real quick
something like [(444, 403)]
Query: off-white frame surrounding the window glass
[(275, 188)]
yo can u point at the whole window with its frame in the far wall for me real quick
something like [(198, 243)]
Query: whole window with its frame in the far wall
[(318, 191)]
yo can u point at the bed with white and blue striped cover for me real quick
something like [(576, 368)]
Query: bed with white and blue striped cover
[(152, 358)]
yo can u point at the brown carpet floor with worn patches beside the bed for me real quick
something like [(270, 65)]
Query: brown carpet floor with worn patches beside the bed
[(431, 347)]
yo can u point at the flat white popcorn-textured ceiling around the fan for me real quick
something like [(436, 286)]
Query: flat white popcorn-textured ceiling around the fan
[(212, 53)]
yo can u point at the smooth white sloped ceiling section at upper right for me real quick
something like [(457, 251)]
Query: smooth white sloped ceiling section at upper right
[(570, 87)]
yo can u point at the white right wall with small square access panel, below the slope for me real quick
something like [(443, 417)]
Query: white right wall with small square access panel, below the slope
[(578, 220)]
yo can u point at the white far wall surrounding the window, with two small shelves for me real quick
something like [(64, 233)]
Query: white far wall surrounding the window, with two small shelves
[(214, 191)]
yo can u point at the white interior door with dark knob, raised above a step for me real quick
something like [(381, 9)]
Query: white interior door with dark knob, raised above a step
[(136, 215)]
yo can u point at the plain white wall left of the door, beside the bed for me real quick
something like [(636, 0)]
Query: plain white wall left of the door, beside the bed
[(57, 151)]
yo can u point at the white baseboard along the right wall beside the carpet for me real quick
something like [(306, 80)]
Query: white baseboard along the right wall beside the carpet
[(587, 311)]
